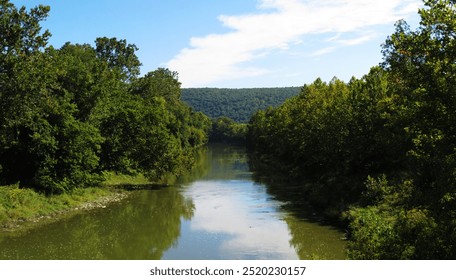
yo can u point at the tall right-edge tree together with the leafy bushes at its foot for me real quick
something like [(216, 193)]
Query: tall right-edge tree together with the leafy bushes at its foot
[(418, 212)]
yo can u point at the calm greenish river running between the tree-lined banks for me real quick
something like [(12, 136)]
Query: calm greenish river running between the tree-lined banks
[(219, 211)]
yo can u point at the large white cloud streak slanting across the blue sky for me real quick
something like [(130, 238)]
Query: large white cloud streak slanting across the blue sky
[(277, 25)]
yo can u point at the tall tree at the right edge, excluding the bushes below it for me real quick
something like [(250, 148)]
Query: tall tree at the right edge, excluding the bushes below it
[(423, 64)]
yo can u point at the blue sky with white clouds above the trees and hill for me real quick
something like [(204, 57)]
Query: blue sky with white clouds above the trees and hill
[(238, 43)]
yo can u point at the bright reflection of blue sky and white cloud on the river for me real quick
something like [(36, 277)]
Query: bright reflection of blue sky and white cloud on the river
[(241, 219)]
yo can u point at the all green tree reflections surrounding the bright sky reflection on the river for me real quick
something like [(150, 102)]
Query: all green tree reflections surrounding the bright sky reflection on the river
[(148, 223)]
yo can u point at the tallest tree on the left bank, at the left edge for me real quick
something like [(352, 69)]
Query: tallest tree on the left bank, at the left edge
[(42, 144)]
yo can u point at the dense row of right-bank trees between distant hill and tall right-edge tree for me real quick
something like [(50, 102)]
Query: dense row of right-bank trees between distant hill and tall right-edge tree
[(330, 135)]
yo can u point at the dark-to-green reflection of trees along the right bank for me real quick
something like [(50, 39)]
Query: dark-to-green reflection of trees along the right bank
[(310, 238)]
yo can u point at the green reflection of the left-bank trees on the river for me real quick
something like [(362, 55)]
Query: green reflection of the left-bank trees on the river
[(143, 227)]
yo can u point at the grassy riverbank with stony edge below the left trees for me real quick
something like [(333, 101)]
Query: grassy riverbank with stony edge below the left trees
[(21, 208)]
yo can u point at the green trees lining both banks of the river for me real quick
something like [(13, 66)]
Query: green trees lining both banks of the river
[(378, 152)]
